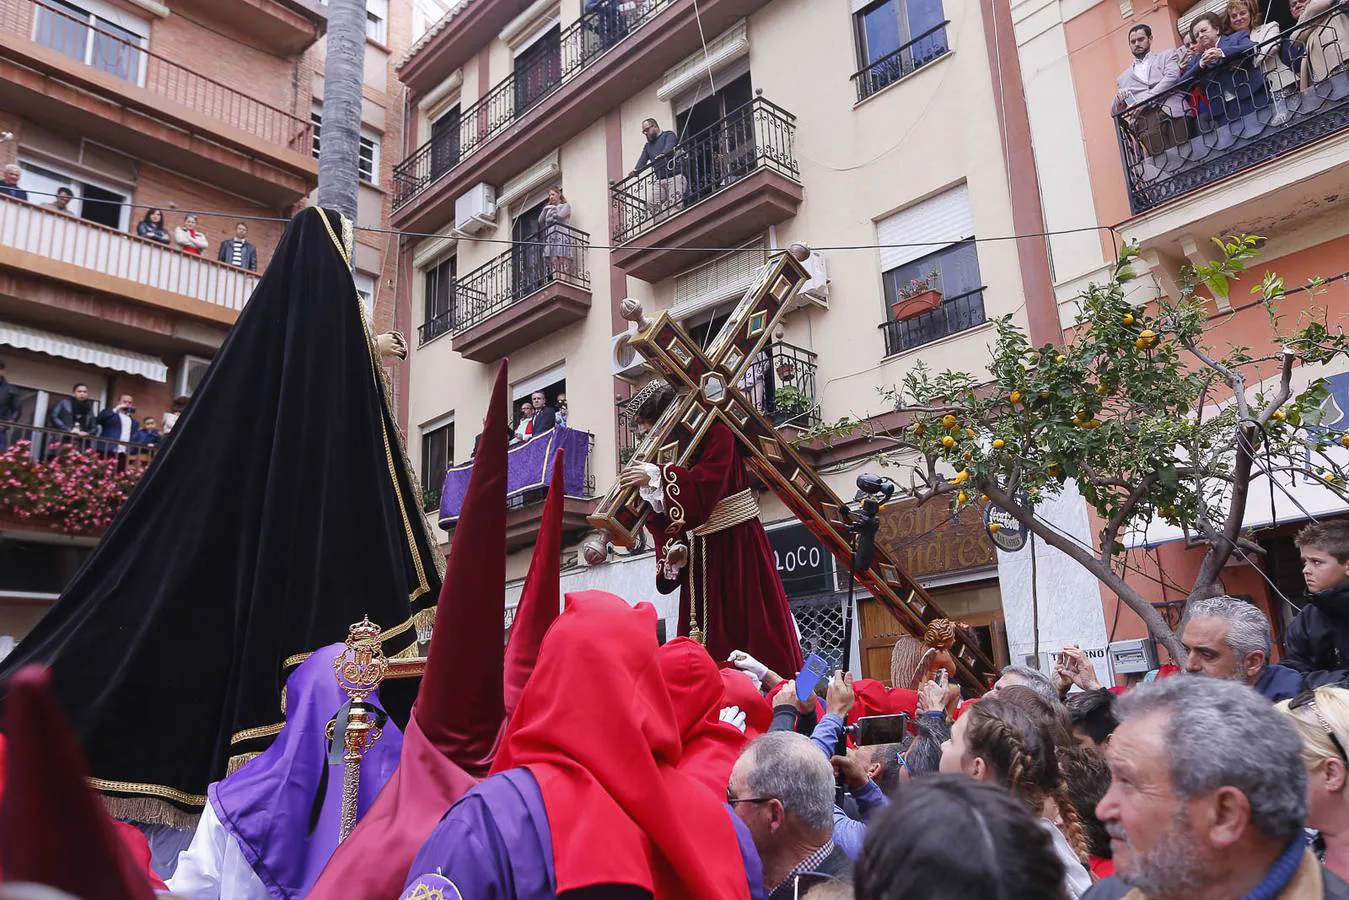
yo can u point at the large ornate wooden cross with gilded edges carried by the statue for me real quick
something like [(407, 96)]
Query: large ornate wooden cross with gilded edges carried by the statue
[(708, 387)]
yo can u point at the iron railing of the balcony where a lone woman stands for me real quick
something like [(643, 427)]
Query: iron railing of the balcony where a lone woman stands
[(525, 269)]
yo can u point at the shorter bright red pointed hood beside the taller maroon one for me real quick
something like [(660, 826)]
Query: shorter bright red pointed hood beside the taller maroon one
[(540, 601)]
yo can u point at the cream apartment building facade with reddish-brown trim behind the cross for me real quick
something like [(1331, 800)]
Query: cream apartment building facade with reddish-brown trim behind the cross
[(884, 136)]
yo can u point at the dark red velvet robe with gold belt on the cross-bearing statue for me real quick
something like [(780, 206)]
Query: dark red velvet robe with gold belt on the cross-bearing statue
[(747, 607)]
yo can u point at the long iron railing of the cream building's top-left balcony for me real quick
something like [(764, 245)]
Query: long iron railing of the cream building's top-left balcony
[(577, 48)]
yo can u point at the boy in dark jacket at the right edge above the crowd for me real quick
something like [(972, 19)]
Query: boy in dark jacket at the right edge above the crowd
[(1319, 640)]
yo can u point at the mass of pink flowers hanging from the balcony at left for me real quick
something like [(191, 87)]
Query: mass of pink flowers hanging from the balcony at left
[(76, 492)]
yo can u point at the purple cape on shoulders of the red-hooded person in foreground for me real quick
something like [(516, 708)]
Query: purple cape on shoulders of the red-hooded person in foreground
[(496, 844)]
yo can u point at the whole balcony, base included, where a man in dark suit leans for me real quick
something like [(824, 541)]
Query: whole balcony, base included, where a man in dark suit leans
[(718, 187)]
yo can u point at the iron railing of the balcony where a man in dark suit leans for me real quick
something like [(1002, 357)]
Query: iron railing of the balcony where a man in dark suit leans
[(759, 136)]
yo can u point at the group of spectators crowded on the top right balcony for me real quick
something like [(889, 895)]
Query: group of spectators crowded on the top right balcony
[(1228, 67)]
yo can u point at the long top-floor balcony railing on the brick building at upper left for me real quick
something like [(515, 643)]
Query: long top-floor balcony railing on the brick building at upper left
[(113, 52)]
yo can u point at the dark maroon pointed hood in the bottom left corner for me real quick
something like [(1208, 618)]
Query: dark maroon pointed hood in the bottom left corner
[(53, 829)]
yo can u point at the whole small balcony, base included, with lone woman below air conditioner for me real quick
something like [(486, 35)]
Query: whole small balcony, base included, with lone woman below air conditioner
[(527, 293)]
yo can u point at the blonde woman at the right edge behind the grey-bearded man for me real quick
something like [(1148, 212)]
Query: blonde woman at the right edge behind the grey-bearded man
[(1321, 719)]
